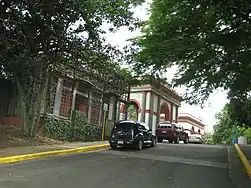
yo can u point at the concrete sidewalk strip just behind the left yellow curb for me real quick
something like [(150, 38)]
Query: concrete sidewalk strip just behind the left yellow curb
[(6, 152)]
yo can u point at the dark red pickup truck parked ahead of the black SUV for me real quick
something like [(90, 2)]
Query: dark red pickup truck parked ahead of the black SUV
[(171, 132)]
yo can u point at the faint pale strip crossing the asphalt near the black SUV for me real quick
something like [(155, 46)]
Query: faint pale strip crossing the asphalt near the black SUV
[(169, 159)]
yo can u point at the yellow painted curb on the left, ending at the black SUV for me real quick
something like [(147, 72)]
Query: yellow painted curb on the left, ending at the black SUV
[(18, 158)]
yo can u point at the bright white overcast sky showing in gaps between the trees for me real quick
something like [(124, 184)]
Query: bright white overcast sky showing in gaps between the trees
[(215, 102)]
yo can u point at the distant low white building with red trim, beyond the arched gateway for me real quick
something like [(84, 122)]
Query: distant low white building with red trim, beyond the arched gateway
[(192, 124)]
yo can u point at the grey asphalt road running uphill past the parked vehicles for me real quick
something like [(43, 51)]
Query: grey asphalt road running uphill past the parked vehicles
[(165, 166)]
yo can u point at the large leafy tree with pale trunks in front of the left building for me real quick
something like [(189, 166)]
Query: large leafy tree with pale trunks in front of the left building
[(40, 35)]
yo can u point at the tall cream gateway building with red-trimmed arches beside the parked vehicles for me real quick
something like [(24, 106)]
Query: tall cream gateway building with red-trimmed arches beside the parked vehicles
[(154, 102)]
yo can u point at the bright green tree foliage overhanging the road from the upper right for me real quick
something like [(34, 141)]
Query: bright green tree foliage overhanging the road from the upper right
[(207, 40)]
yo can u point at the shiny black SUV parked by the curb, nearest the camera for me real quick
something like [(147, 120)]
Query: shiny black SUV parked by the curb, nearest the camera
[(132, 133)]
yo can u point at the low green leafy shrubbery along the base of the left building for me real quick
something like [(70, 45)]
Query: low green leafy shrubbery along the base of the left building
[(76, 129)]
